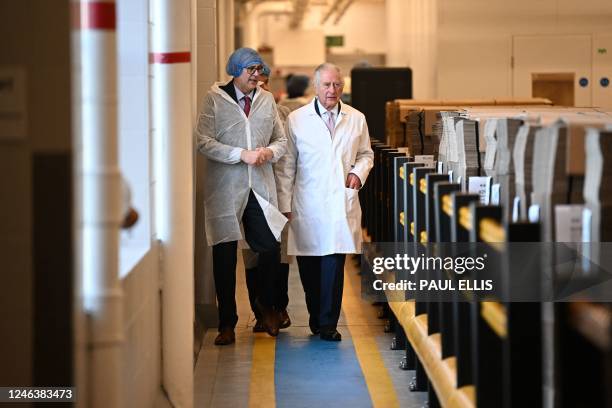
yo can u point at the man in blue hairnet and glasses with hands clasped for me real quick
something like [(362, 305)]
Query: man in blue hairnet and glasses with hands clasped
[(241, 135)]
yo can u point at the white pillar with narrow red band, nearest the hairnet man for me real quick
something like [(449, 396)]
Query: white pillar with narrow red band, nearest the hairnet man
[(172, 128)]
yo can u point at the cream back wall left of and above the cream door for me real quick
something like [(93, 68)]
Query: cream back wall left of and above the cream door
[(475, 38)]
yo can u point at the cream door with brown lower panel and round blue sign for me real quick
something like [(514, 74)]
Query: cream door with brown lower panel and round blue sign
[(566, 55)]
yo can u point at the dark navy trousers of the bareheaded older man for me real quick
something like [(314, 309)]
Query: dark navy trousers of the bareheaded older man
[(323, 281)]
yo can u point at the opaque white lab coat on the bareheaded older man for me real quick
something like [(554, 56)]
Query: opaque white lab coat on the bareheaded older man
[(311, 177)]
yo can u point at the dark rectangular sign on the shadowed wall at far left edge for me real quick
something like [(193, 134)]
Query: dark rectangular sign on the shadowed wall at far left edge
[(12, 103)]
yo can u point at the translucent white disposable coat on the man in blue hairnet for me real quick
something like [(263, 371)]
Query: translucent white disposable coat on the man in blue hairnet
[(222, 127)]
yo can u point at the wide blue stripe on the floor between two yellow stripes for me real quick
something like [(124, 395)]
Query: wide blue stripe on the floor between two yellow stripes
[(310, 372)]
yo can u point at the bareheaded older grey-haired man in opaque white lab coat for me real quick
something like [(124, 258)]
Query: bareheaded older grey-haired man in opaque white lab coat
[(327, 162)]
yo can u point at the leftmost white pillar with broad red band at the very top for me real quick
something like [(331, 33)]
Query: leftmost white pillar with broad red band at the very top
[(100, 199)]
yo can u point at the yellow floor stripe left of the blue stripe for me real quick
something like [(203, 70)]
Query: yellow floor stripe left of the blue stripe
[(261, 391)]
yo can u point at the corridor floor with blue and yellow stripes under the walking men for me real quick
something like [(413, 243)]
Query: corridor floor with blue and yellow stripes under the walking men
[(297, 369)]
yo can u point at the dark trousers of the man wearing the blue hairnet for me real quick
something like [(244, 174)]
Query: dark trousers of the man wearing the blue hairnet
[(261, 240)]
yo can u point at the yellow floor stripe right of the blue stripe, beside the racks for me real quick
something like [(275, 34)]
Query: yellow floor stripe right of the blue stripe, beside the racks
[(376, 375)]
